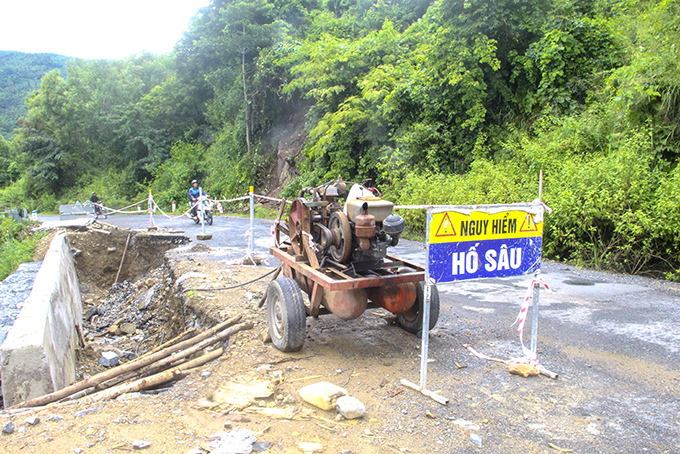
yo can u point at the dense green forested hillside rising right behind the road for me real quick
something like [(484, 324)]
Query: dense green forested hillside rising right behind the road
[(444, 101)]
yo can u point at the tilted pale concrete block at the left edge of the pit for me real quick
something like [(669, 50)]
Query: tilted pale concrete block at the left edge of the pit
[(38, 355)]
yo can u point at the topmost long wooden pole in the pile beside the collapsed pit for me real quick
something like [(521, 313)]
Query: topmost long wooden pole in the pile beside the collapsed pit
[(127, 367)]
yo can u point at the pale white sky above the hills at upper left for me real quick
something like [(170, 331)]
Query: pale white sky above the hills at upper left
[(93, 29)]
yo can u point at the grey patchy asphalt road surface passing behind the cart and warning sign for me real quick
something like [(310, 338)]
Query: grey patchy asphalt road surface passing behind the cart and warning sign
[(614, 340)]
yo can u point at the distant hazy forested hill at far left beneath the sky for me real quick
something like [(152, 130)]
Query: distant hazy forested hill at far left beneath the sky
[(20, 75)]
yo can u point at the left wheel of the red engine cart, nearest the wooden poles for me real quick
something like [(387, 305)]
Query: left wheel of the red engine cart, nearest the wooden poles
[(286, 315)]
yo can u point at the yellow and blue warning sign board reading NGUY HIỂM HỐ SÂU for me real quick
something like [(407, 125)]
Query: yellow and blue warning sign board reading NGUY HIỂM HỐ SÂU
[(484, 242)]
